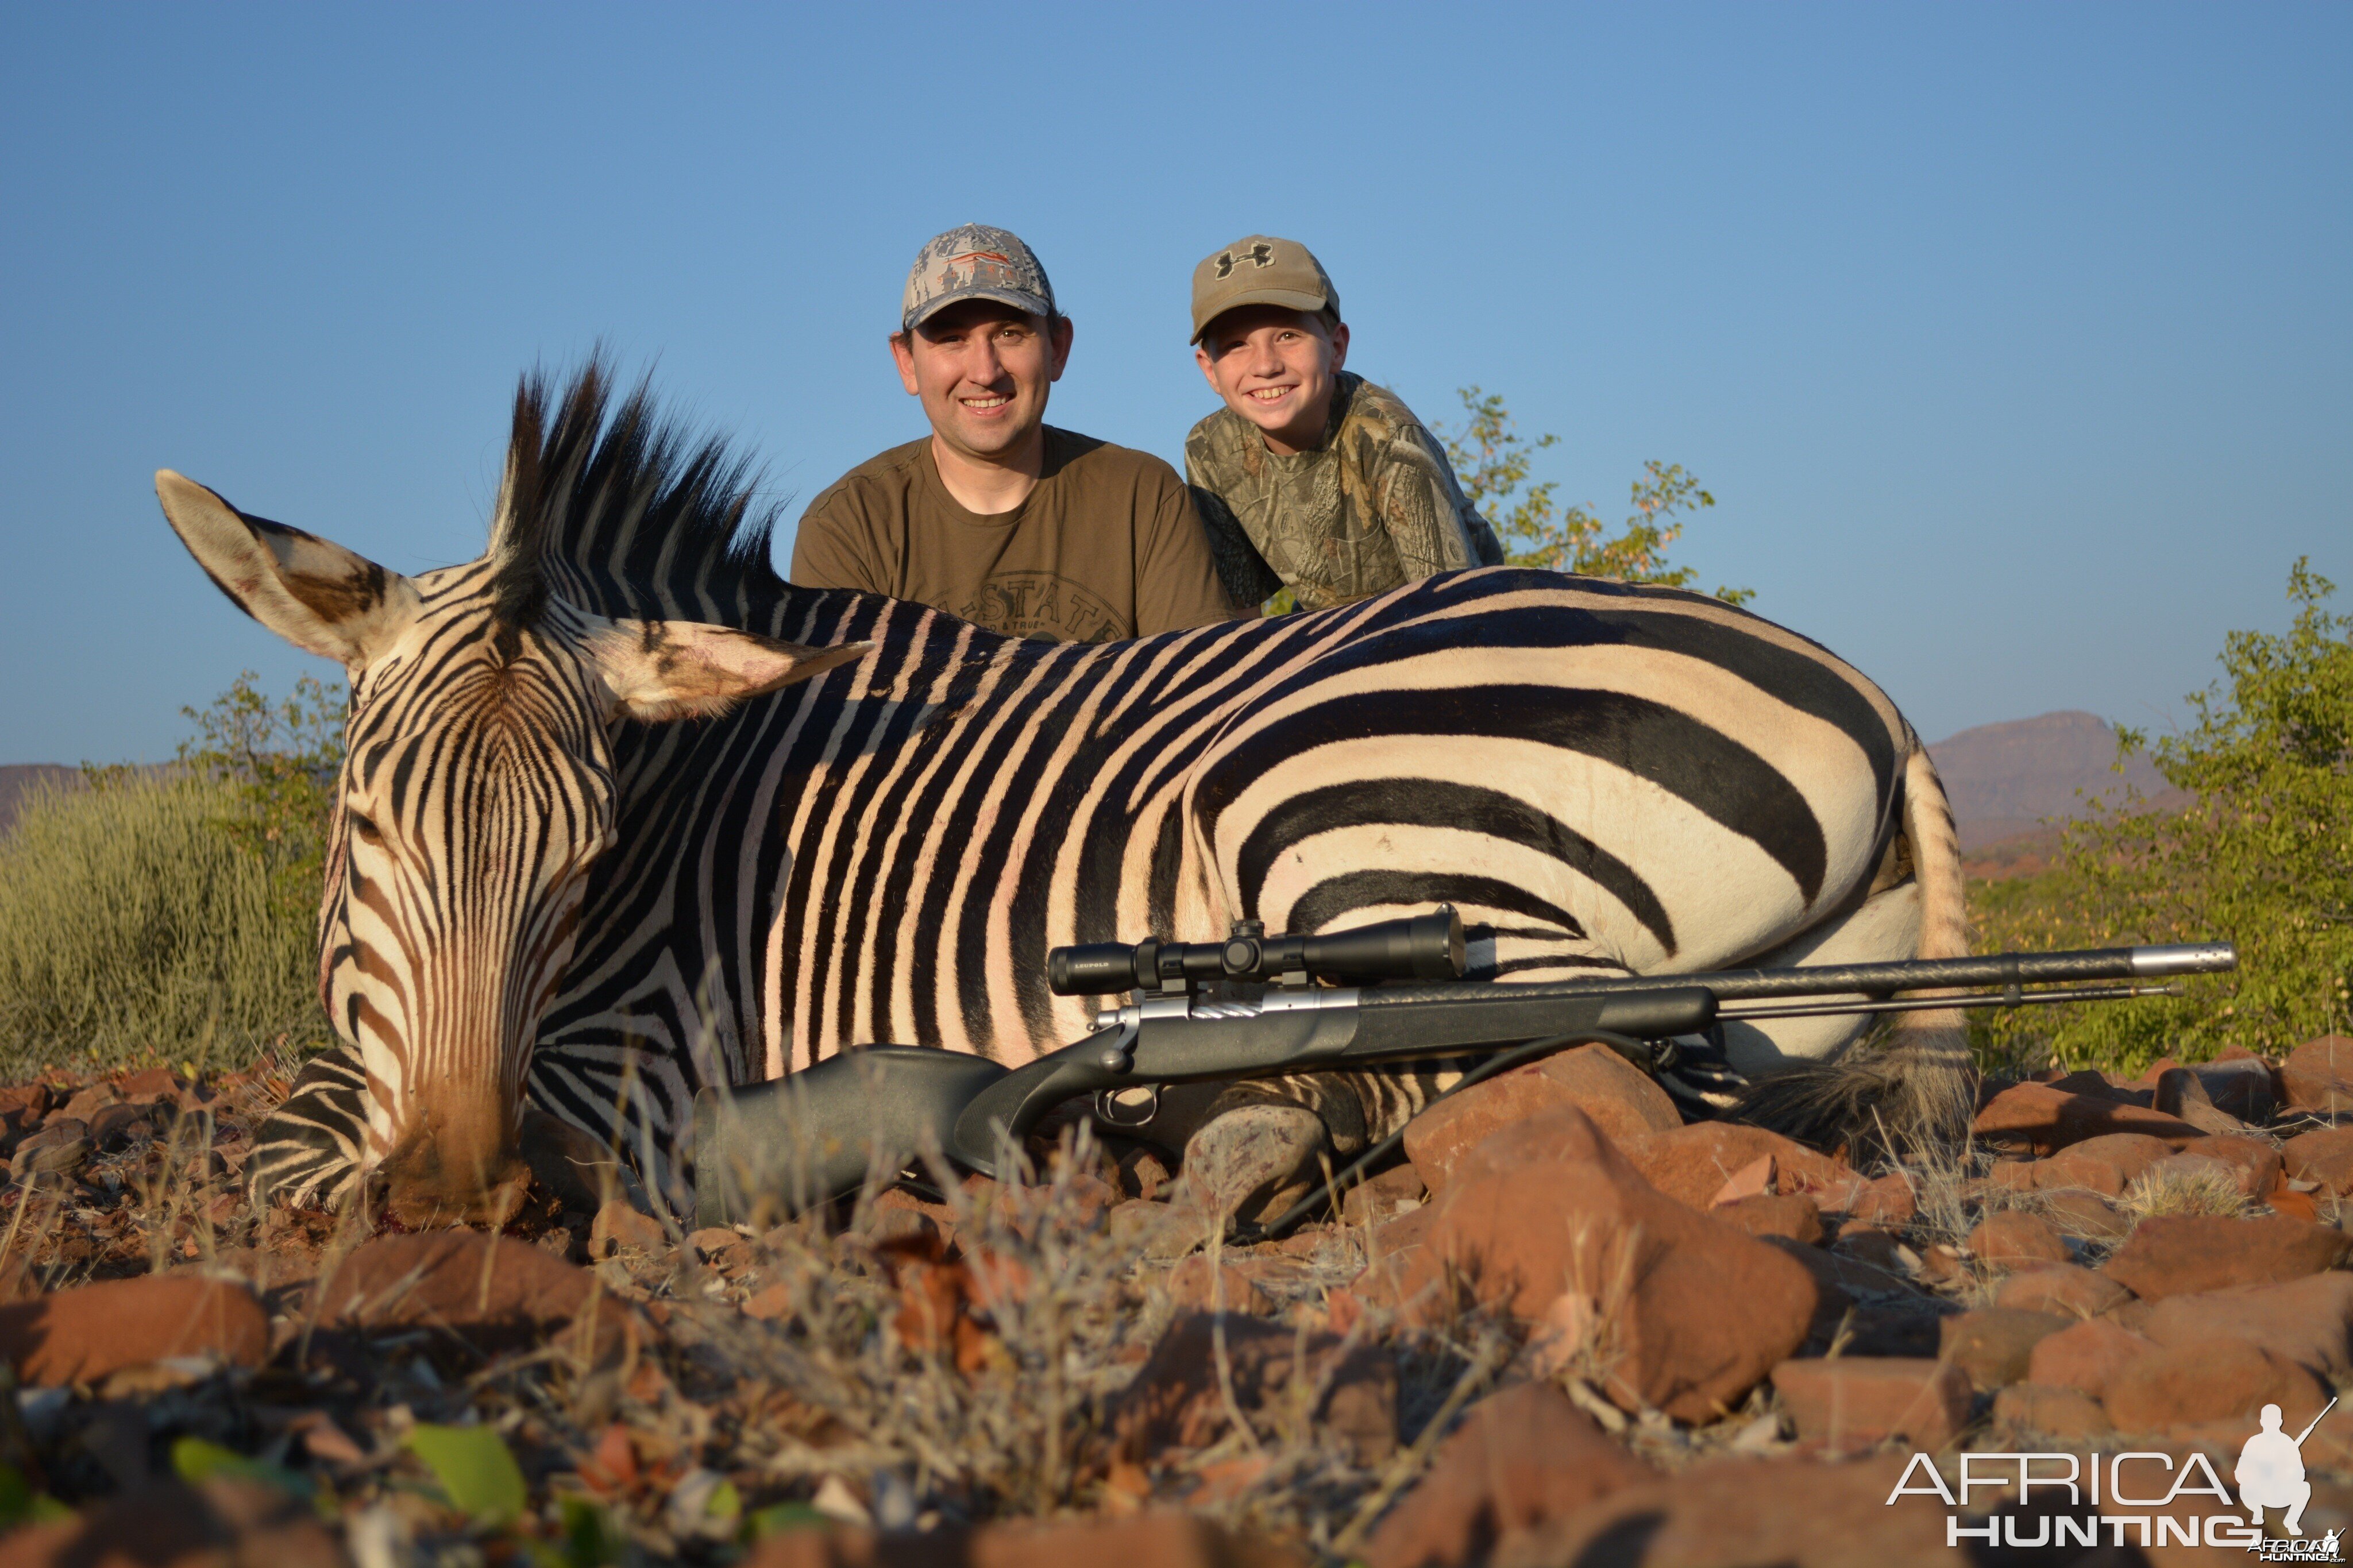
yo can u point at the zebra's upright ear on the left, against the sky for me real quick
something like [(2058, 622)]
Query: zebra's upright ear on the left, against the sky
[(314, 594)]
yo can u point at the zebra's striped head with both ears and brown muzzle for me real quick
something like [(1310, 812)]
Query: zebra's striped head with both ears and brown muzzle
[(476, 791)]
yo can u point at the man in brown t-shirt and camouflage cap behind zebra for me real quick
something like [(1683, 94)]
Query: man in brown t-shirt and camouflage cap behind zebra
[(996, 516)]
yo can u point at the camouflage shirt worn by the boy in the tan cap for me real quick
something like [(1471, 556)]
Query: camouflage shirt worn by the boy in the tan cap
[(1371, 509)]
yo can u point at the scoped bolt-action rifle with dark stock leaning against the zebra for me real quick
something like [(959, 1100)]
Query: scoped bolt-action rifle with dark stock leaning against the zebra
[(1260, 1005)]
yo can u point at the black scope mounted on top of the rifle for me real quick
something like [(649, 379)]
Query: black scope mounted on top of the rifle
[(1420, 949)]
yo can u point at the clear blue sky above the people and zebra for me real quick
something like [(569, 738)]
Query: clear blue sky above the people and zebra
[(2013, 340)]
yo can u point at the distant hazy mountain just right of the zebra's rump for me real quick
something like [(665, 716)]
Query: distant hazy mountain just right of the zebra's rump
[(2006, 779)]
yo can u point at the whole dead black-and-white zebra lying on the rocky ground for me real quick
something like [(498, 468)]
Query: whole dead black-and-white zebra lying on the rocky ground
[(627, 815)]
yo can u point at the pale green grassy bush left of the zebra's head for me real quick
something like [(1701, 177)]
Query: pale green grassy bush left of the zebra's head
[(171, 913)]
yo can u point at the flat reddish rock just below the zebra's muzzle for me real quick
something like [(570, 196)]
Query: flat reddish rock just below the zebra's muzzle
[(493, 1292)]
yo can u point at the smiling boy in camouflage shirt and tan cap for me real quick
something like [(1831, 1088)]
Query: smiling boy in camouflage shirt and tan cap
[(1312, 478)]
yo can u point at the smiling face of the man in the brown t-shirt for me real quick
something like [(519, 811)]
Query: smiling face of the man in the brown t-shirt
[(982, 373)]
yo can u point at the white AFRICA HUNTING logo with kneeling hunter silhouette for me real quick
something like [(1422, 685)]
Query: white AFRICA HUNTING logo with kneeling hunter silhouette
[(2133, 1499)]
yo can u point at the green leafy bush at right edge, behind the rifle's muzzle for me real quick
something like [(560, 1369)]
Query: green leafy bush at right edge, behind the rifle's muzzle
[(2262, 859)]
